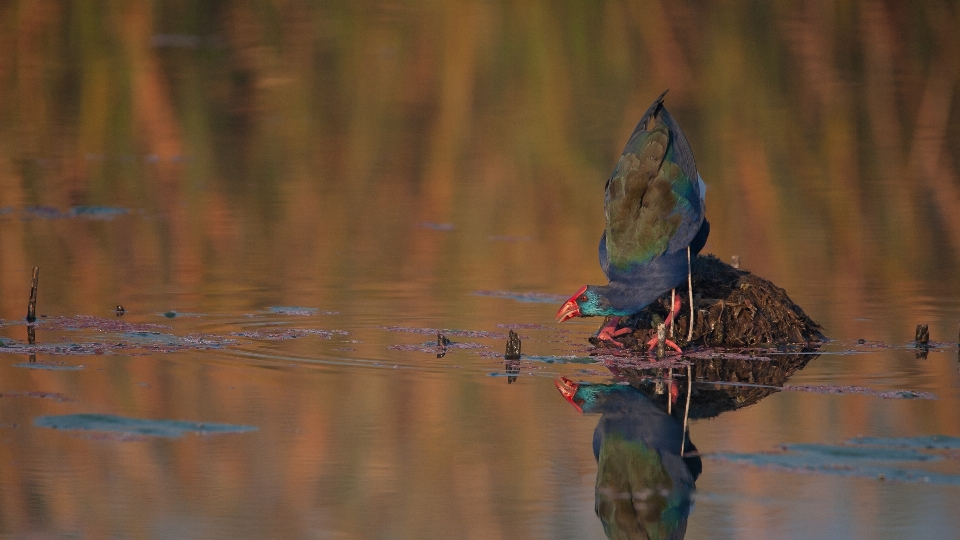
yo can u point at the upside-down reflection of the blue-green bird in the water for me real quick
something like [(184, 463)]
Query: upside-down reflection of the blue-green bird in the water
[(643, 485)]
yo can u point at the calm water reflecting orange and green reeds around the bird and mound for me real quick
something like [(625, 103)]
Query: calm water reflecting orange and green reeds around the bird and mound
[(287, 200)]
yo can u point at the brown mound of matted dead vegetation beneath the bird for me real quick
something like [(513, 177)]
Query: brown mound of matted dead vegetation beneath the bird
[(733, 308)]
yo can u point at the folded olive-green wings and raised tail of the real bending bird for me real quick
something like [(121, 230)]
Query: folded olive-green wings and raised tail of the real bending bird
[(653, 198)]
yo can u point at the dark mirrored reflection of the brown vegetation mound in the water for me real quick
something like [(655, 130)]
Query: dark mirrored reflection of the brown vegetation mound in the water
[(758, 379)]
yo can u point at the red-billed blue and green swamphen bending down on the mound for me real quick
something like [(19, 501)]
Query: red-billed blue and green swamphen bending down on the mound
[(656, 223)]
